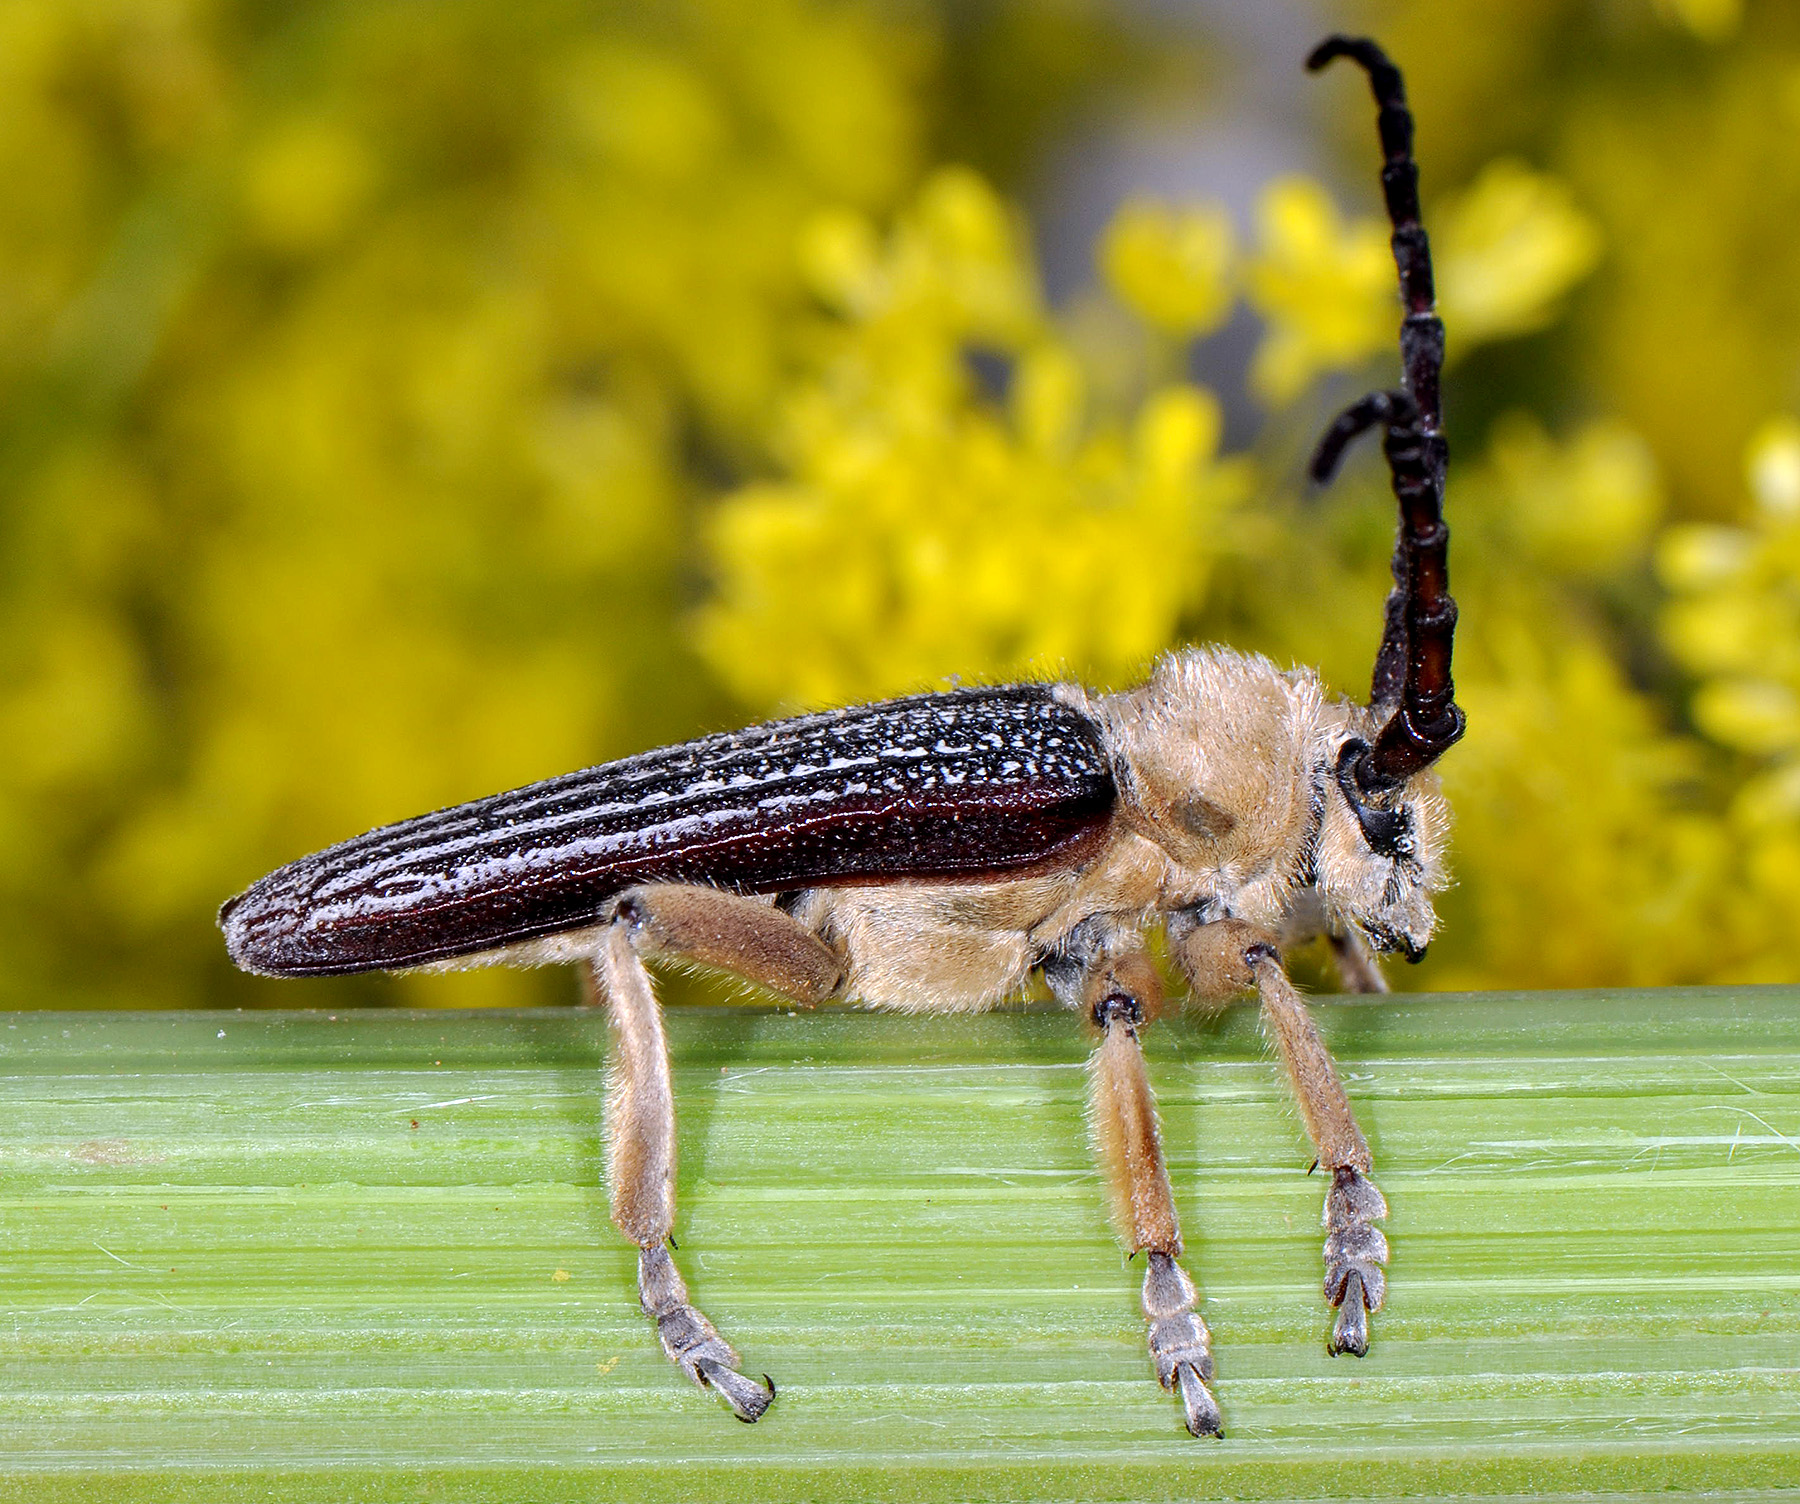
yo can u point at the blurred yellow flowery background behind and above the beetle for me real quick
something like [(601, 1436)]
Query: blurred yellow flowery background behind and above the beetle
[(406, 402)]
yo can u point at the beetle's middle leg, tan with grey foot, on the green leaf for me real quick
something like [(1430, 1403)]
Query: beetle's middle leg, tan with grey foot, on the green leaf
[(1120, 992)]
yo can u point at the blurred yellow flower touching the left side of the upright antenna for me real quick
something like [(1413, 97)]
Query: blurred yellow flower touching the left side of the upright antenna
[(1324, 287)]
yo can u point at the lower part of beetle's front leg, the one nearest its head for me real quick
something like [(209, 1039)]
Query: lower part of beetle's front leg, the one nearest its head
[(1354, 1248)]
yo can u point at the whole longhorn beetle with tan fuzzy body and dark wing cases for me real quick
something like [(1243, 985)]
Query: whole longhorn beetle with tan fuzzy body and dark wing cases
[(931, 854)]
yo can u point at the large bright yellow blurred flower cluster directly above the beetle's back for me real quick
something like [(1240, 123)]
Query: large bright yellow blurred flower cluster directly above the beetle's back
[(928, 526)]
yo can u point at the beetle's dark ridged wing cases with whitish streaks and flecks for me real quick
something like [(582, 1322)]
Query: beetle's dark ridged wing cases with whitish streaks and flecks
[(933, 787)]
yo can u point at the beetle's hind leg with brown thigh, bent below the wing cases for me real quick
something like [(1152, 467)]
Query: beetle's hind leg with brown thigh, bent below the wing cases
[(715, 929)]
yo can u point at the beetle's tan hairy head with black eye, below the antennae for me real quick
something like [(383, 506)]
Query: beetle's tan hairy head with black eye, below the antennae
[(1381, 854)]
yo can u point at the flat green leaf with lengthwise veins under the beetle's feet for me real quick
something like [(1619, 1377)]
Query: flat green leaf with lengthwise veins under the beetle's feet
[(366, 1257)]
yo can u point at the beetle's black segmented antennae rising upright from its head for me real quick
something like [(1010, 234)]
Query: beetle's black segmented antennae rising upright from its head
[(1414, 667)]
